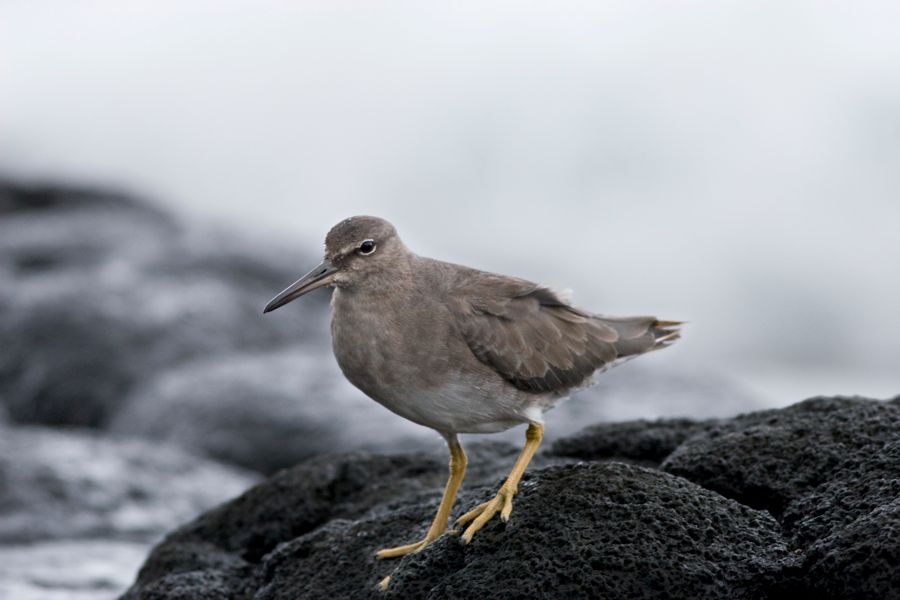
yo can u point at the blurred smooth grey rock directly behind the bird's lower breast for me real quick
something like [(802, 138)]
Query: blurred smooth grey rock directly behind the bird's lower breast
[(266, 411)]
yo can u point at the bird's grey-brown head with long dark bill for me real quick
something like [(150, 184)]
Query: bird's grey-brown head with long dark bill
[(357, 250)]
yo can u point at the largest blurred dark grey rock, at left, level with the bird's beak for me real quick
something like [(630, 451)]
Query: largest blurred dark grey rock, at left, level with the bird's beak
[(99, 292)]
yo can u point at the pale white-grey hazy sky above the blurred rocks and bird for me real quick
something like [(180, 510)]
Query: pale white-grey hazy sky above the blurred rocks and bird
[(736, 164)]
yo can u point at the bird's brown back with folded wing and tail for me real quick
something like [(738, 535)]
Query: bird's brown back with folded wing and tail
[(533, 338)]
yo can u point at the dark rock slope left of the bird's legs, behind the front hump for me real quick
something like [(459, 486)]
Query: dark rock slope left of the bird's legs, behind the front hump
[(290, 504)]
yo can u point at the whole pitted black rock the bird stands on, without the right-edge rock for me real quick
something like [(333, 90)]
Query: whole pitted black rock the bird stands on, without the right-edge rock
[(590, 531)]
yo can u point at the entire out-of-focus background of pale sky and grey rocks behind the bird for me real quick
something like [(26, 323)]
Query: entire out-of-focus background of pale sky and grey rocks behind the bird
[(167, 167)]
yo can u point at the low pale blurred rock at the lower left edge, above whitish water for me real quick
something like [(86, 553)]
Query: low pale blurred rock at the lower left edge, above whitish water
[(59, 485)]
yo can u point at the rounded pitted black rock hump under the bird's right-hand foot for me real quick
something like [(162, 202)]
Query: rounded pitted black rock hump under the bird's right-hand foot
[(603, 531)]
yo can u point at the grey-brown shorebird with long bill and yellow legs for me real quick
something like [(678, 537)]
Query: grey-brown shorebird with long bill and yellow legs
[(461, 350)]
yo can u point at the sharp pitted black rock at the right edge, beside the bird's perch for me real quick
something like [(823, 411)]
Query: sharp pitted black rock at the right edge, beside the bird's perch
[(828, 469)]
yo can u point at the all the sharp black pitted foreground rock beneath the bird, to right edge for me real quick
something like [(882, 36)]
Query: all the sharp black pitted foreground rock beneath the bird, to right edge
[(797, 502)]
